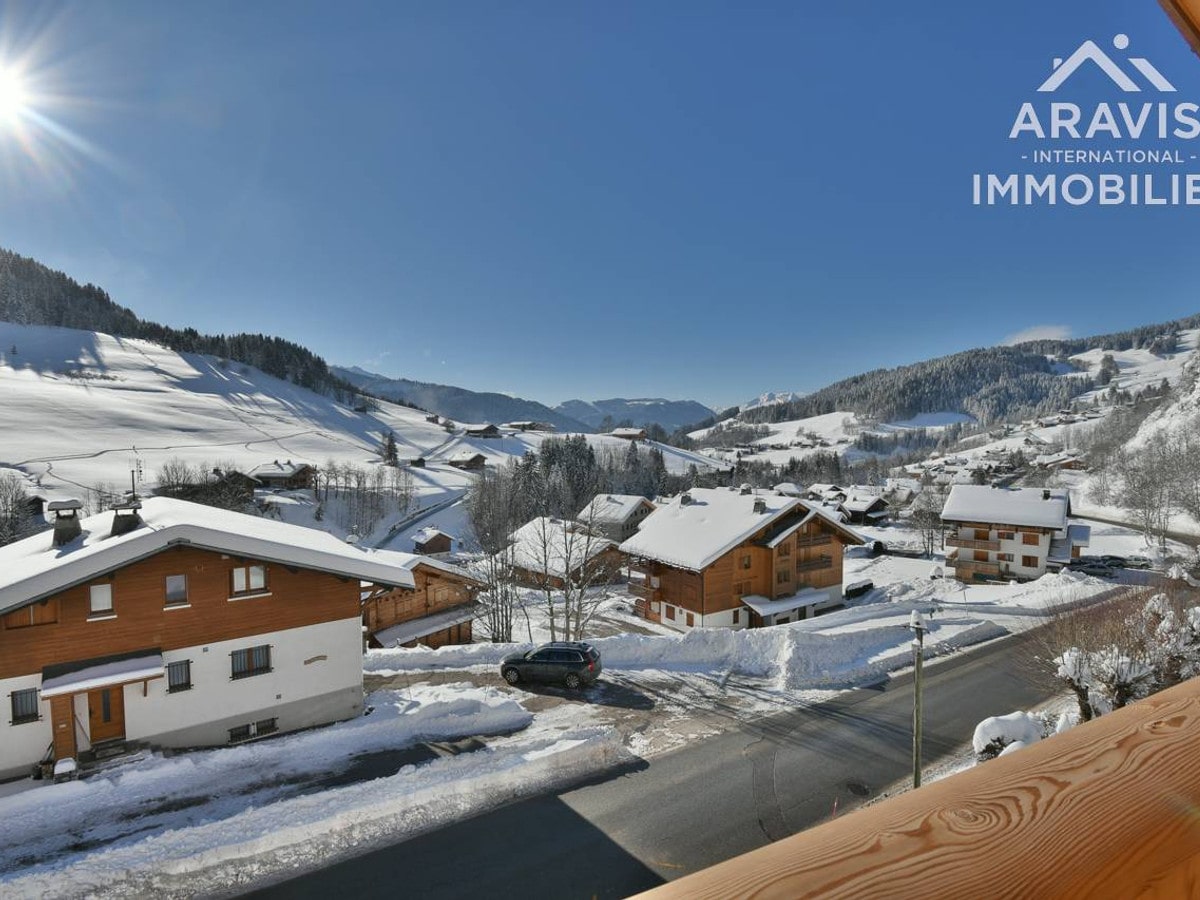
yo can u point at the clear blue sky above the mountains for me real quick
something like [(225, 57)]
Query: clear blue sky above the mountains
[(562, 200)]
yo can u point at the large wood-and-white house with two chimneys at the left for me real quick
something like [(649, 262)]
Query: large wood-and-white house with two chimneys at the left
[(178, 626)]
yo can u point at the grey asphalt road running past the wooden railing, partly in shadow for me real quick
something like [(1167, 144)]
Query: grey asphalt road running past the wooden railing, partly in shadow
[(701, 805)]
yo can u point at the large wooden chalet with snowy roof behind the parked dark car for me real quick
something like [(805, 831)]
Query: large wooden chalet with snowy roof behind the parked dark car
[(731, 559)]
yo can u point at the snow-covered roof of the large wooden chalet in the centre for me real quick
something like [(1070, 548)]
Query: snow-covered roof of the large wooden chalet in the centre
[(693, 536)]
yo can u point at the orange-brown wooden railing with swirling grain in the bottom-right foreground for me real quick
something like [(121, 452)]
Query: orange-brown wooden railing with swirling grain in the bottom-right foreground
[(1109, 809)]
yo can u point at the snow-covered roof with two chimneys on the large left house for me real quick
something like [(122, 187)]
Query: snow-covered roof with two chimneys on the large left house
[(34, 568)]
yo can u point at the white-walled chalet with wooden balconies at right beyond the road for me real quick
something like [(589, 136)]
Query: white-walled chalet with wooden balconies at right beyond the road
[(1004, 533)]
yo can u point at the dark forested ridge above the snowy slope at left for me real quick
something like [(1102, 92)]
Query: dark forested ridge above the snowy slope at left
[(33, 295)]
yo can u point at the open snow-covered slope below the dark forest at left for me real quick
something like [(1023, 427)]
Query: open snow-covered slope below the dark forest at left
[(80, 410)]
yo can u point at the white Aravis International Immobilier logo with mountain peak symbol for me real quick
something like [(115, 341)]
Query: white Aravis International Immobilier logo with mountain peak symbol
[(1150, 142)]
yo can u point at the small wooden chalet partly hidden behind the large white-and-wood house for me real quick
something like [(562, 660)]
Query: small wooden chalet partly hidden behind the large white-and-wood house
[(435, 611)]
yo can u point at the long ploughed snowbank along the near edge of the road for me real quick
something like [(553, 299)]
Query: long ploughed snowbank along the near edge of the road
[(313, 831)]
